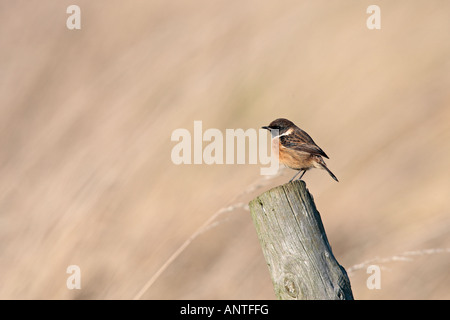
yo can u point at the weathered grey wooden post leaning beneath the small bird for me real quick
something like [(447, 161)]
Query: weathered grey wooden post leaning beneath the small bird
[(296, 247)]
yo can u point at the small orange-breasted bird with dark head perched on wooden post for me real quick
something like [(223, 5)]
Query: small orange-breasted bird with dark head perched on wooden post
[(295, 148)]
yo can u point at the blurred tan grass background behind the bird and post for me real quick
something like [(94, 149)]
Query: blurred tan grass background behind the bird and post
[(86, 118)]
